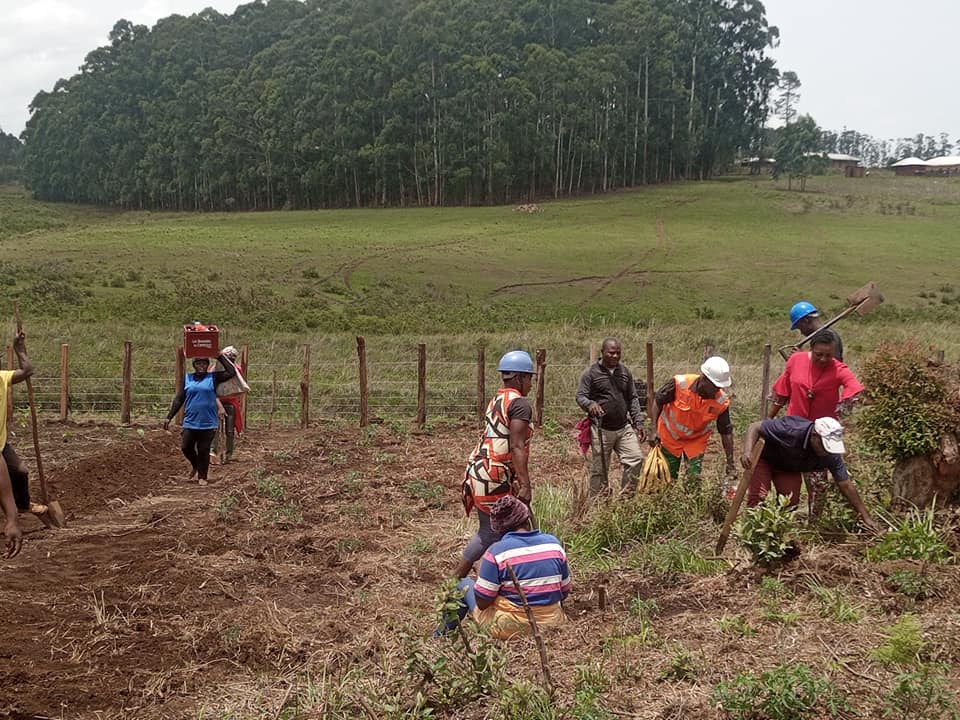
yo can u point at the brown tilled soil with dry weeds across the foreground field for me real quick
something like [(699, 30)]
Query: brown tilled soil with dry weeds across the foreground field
[(314, 550)]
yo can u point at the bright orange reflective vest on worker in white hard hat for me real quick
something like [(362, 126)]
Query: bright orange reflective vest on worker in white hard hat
[(684, 424)]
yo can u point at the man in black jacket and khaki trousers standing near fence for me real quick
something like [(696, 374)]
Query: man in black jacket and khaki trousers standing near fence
[(608, 395)]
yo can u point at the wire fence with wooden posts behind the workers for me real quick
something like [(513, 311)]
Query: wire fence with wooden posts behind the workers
[(398, 389)]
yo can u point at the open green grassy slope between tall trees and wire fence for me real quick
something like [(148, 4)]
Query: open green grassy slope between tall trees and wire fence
[(725, 250)]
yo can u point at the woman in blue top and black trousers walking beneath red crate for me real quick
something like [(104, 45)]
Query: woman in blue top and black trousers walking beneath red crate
[(198, 398)]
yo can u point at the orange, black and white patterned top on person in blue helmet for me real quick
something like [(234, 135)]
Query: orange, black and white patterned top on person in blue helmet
[(489, 474)]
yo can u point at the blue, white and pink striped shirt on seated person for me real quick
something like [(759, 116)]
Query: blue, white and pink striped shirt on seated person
[(539, 561)]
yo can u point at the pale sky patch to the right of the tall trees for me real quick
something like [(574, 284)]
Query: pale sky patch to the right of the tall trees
[(887, 68)]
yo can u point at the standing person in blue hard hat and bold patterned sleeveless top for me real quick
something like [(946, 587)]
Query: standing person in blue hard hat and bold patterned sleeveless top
[(498, 465)]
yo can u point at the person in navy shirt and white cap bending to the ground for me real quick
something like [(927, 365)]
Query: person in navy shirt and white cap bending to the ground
[(795, 445)]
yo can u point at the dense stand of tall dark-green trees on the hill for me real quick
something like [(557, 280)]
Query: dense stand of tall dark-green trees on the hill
[(364, 103)]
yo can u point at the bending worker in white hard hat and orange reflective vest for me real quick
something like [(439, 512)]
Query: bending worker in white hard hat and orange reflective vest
[(685, 409)]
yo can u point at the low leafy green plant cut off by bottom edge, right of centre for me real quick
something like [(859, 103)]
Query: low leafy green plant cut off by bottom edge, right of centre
[(786, 692)]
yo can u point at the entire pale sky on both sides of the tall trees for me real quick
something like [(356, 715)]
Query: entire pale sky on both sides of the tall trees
[(882, 67)]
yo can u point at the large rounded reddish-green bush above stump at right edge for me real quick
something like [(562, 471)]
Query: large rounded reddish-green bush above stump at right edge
[(907, 413)]
